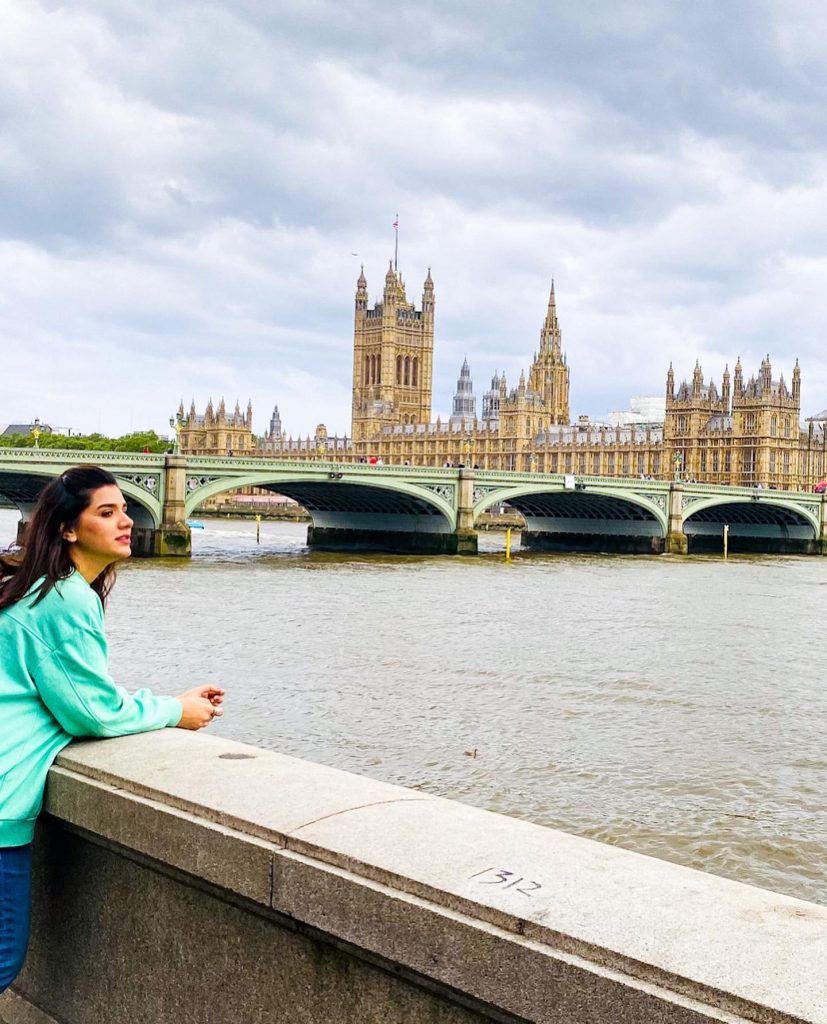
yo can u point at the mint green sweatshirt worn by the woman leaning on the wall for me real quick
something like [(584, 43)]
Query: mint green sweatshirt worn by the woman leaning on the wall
[(55, 686)]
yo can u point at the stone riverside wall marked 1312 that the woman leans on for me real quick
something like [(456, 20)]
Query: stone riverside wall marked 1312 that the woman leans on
[(184, 878)]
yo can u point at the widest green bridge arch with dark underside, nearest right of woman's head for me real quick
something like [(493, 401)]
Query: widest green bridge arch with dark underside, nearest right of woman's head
[(338, 499)]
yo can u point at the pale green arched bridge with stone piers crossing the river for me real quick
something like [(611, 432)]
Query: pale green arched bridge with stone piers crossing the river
[(419, 509)]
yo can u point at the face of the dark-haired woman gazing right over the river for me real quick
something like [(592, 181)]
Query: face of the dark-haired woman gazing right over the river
[(103, 534)]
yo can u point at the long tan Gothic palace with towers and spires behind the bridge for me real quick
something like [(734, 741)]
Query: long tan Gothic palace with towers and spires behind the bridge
[(748, 433)]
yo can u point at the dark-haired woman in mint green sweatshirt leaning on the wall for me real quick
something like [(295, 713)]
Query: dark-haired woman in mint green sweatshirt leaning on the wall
[(55, 682)]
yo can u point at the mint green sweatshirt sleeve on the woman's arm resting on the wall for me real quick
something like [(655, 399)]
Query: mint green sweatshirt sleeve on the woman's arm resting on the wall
[(75, 685)]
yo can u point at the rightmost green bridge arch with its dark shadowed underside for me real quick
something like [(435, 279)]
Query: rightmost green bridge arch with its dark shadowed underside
[(757, 523)]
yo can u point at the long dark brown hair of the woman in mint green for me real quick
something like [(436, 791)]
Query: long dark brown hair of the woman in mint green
[(43, 552)]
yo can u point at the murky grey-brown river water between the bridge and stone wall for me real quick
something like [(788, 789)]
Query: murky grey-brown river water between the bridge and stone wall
[(675, 707)]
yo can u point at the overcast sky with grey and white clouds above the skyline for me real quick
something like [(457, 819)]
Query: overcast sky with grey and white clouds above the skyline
[(188, 192)]
